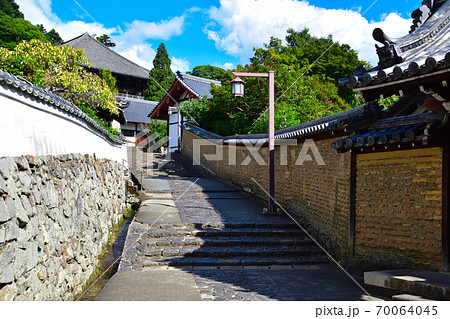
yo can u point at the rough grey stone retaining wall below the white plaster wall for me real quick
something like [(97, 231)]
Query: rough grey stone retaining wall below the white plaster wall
[(56, 214)]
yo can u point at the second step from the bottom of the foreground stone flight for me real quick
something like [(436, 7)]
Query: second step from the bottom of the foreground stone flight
[(212, 251)]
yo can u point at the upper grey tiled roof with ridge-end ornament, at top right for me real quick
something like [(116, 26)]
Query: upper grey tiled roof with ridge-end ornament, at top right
[(425, 50)]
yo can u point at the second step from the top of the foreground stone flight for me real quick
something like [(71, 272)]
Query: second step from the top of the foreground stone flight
[(228, 241)]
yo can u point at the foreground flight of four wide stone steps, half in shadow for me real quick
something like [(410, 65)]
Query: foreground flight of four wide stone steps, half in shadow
[(230, 245)]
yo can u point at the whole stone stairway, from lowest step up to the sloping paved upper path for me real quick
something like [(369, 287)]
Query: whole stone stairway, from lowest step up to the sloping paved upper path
[(208, 223)]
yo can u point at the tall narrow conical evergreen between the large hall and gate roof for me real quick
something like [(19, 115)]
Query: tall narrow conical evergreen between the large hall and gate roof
[(161, 76)]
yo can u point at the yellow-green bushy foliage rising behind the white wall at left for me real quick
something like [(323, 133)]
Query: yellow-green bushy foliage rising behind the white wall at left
[(58, 69)]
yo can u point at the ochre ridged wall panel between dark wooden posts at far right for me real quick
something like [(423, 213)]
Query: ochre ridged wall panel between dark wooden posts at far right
[(399, 208)]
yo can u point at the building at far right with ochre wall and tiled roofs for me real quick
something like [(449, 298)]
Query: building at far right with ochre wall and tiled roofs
[(400, 163)]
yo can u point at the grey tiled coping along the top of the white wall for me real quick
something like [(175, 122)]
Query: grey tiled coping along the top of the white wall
[(20, 84)]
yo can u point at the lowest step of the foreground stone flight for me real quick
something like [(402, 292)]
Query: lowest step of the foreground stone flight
[(233, 261)]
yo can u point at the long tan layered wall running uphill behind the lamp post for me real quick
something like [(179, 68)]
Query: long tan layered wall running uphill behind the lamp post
[(318, 195)]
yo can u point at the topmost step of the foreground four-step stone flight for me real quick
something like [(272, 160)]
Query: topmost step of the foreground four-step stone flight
[(224, 232)]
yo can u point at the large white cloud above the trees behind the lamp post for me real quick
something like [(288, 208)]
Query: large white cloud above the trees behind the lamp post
[(240, 25)]
